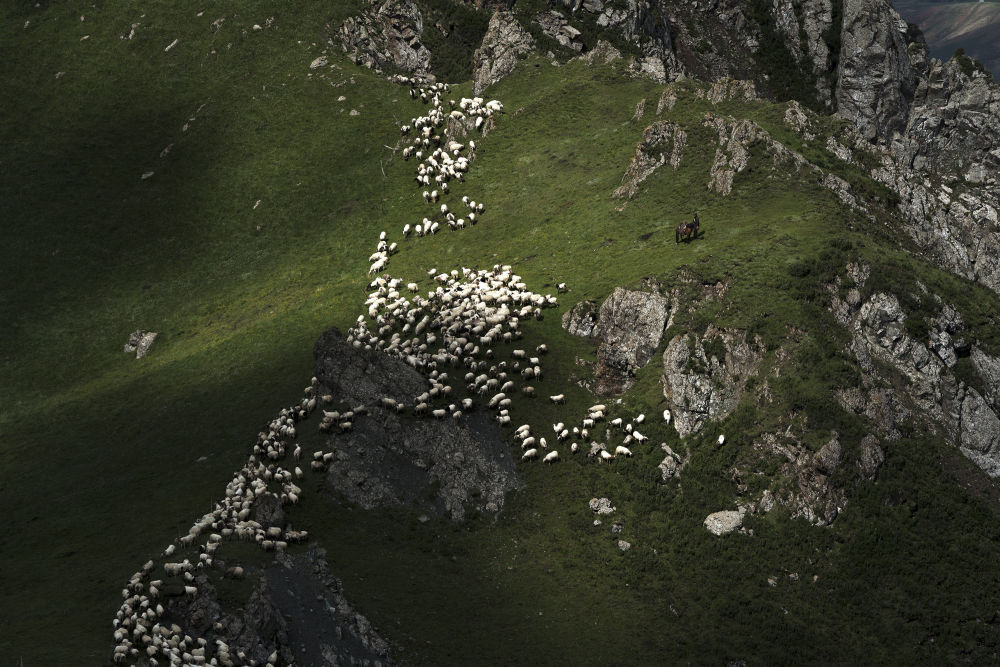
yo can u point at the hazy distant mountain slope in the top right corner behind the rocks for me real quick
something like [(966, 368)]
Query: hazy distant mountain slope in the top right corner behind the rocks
[(973, 26)]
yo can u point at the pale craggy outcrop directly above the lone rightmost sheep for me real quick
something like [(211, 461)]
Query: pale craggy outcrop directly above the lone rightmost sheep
[(703, 378)]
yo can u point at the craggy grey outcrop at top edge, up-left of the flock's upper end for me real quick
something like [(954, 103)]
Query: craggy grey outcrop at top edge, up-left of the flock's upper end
[(387, 35)]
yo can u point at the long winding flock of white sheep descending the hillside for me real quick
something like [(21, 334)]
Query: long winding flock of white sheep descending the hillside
[(463, 332)]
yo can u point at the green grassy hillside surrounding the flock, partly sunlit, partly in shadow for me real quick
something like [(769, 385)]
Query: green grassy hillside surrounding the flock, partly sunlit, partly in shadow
[(105, 459)]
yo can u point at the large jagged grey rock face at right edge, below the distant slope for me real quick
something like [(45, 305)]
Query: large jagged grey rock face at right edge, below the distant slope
[(953, 135)]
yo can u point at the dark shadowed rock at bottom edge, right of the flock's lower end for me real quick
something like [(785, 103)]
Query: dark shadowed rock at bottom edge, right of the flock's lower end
[(296, 608)]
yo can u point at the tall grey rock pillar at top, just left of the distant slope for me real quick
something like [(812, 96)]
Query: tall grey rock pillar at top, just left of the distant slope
[(877, 73)]
